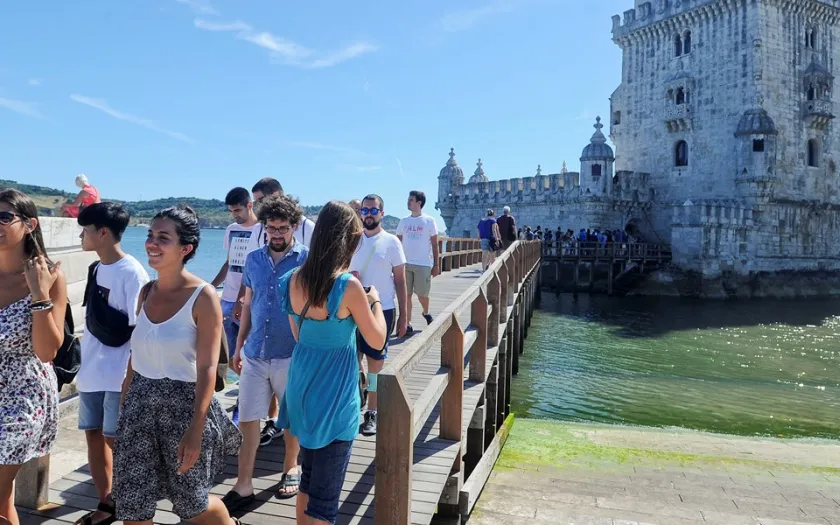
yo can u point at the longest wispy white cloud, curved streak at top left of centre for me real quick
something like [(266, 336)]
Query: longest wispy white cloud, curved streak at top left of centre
[(285, 51)]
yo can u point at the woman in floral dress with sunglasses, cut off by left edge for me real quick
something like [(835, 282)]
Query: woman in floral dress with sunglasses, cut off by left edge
[(33, 301)]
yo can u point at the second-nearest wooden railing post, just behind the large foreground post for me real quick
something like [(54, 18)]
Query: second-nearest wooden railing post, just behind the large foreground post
[(452, 400)]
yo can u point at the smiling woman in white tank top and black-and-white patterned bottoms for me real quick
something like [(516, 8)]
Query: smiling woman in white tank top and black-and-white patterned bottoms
[(173, 435)]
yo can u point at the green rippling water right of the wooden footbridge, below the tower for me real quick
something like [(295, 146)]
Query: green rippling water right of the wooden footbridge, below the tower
[(749, 367)]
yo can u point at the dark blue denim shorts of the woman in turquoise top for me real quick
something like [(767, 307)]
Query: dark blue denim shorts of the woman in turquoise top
[(322, 475)]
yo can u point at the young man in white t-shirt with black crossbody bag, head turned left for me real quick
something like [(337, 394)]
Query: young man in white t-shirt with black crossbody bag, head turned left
[(114, 284)]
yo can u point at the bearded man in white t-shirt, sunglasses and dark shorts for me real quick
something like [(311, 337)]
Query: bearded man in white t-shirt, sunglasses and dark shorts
[(379, 262)]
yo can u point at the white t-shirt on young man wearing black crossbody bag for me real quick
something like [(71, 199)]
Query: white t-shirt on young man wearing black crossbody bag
[(103, 367)]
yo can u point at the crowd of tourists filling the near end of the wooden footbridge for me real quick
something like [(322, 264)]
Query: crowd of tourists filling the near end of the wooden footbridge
[(304, 318)]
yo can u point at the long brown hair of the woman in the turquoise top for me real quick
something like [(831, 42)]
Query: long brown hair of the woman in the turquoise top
[(337, 234)]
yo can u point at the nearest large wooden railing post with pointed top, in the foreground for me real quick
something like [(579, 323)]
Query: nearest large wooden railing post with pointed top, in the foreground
[(394, 452)]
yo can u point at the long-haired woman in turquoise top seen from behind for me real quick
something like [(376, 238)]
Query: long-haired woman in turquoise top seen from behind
[(321, 405)]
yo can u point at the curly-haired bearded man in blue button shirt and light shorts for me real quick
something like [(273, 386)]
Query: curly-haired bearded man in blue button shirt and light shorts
[(264, 347)]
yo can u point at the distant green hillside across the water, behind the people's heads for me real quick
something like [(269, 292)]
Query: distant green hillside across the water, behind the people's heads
[(211, 212)]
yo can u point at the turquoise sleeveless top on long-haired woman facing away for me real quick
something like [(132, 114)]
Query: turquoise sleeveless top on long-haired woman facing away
[(321, 403)]
